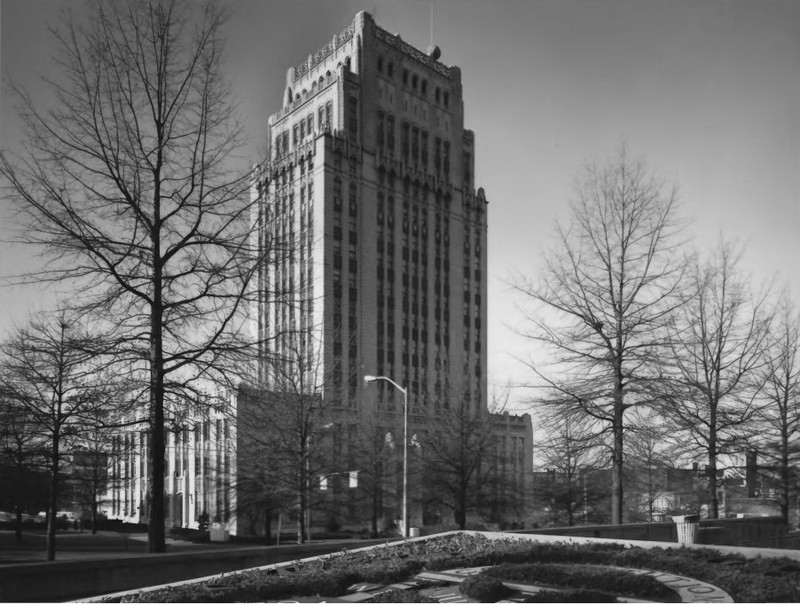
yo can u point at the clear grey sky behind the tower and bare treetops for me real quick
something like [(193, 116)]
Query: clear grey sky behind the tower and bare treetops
[(706, 92)]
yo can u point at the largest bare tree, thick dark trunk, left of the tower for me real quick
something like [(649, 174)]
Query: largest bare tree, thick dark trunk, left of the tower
[(128, 184)]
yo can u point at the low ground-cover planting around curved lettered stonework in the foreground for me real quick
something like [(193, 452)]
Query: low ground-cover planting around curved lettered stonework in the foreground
[(577, 572)]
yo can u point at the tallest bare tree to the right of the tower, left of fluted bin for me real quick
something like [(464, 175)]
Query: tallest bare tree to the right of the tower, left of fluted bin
[(603, 298)]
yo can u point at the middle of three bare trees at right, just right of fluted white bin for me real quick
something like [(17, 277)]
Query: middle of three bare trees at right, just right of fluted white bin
[(717, 342)]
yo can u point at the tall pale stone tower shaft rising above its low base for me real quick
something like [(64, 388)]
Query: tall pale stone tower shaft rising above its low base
[(370, 187)]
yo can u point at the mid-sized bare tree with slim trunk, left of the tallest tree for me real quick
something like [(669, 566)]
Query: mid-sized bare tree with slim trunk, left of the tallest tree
[(48, 372)]
